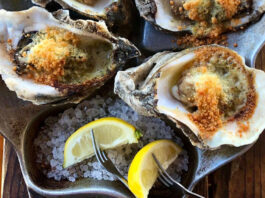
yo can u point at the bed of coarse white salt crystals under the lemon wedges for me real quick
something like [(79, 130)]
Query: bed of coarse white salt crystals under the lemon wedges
[(49, 144)]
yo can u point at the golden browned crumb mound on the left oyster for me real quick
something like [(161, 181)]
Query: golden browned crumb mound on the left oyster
[(48, 57)]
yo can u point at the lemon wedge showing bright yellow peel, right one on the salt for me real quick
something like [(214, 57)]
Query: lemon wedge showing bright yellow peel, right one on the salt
[(143, 171)]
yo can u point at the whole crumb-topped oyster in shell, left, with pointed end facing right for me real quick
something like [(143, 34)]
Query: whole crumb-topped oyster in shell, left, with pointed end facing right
[(49, 57)]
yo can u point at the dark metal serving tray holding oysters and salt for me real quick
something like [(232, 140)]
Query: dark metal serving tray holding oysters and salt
[(19, 120)]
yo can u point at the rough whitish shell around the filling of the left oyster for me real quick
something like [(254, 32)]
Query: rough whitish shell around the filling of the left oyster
[(15, 26)]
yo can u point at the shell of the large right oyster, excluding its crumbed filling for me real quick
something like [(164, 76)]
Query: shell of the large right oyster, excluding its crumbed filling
[(148, 89)]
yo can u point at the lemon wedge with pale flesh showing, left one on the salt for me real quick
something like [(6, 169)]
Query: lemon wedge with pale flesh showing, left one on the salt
[(109, 132)]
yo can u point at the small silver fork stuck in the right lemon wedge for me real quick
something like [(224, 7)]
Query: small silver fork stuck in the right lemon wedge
[(168, 181)]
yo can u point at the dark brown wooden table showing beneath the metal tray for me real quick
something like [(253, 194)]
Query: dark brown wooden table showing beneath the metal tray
[(242, 178)]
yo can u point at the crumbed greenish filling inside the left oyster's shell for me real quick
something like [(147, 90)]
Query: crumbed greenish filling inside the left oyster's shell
[(56, 56)]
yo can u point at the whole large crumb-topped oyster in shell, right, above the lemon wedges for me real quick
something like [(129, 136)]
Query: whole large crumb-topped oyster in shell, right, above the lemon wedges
[(208, 92)]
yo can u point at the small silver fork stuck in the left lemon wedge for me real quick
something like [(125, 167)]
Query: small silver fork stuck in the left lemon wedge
[(106, 162)]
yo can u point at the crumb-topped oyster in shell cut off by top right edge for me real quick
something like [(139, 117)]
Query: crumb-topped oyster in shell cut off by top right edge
[(202, 17)]
